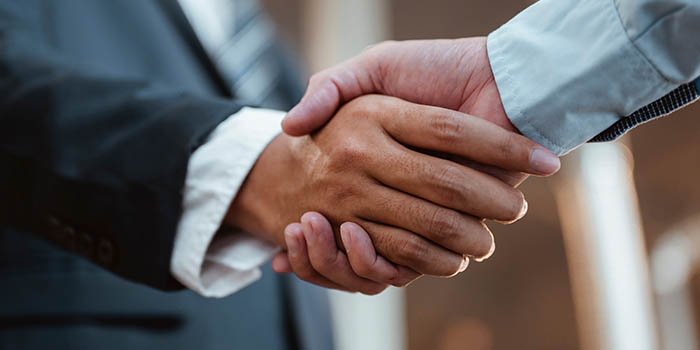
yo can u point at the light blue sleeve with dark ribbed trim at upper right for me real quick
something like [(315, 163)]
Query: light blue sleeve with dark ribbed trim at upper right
[(571, 70)]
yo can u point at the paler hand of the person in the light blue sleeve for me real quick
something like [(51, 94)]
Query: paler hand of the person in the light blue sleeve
[(453, 74)]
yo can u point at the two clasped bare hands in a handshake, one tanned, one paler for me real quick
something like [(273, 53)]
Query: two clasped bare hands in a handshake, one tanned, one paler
[(406, 151)]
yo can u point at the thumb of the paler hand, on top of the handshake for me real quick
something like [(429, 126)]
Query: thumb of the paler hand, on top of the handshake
[(328, 90)]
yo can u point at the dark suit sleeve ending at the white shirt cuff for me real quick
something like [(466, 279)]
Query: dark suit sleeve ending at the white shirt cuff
[(95, 163)]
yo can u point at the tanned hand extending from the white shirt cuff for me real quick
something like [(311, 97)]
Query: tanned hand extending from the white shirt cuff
[(366, 166)]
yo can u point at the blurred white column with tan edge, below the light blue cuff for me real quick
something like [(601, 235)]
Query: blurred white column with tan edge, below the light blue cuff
[(605, 249)]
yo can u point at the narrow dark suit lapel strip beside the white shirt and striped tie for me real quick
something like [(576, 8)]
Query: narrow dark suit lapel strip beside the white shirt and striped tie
[(174, 13)]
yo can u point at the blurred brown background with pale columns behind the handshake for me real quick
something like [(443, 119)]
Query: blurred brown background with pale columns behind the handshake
[(605, 257)]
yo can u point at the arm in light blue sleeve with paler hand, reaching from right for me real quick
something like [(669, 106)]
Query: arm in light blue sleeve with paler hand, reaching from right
[(563, 71)]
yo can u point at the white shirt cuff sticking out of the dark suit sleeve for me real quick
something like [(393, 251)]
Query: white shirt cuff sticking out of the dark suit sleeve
[(207, 260)]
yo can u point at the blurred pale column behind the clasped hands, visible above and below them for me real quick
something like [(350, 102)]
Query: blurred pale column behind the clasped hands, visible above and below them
[(335, 30)]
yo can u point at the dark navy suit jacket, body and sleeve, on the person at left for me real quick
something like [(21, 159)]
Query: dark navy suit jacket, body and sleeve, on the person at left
[(101, 104)]
